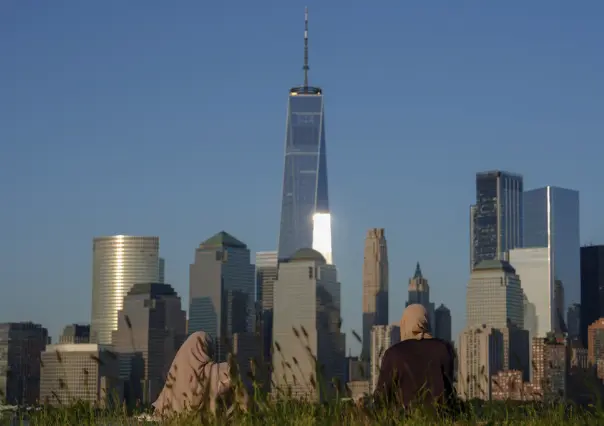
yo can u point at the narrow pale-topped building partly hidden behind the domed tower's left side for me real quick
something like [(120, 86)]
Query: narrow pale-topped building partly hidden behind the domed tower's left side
[(267, 269)]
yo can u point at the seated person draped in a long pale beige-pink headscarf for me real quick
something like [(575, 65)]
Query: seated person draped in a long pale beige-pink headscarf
[(194, 378)]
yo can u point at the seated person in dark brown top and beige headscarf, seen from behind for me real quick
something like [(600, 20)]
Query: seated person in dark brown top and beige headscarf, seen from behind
[(420, 368)]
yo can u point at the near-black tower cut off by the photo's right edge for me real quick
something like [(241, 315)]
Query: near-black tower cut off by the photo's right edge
[(592, 287)]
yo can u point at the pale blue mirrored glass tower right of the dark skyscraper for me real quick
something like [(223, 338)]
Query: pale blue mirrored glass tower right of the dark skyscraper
[(551, 221)]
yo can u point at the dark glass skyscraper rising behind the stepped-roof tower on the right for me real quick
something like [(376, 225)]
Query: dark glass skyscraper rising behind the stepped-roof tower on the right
[(497, 222)]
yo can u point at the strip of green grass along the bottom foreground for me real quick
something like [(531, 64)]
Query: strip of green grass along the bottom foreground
[(337, 413)]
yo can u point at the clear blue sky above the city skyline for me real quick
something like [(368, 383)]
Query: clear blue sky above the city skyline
[(168, 118)]
